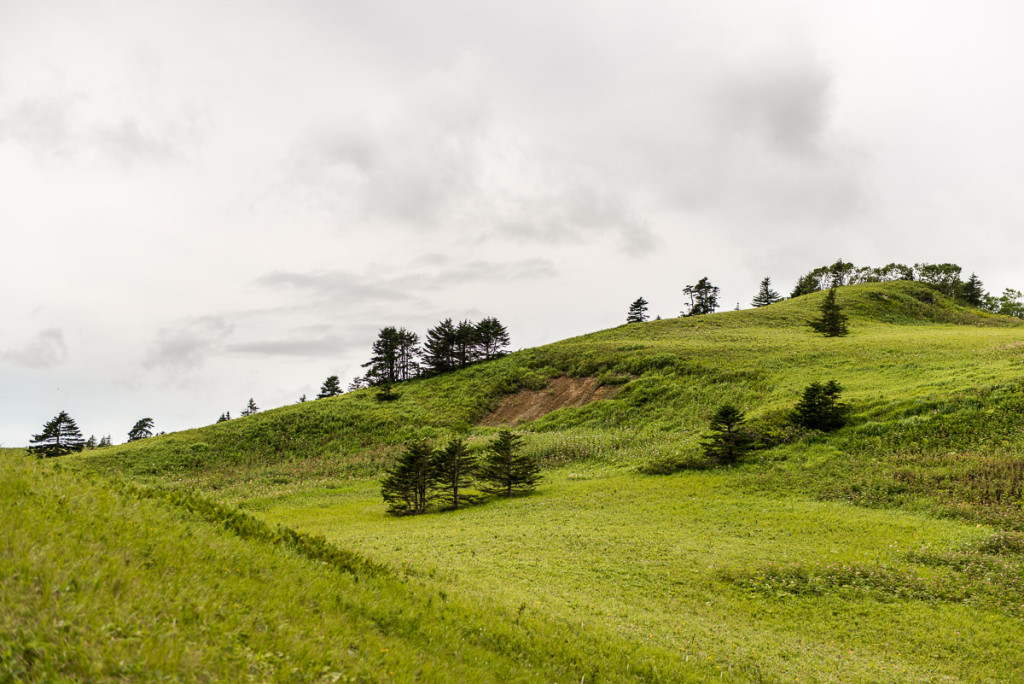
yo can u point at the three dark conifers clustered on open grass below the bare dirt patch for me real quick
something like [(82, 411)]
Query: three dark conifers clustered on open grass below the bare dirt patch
[(424, 476)]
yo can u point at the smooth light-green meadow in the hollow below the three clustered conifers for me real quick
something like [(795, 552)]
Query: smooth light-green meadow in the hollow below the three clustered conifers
[(762, 588)]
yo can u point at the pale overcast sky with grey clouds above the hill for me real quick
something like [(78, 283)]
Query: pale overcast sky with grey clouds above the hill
[(206, 202)]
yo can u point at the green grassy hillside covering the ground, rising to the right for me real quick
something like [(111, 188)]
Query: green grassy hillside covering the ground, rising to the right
[(890, 550)]
